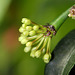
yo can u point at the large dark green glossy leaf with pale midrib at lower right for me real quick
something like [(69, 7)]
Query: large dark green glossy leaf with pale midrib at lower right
[(64, 57)]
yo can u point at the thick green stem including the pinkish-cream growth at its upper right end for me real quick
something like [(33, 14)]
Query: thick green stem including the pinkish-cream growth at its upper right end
[(61, 19)]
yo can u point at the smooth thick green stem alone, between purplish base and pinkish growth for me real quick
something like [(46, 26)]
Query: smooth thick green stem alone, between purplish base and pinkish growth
[(61, 19)]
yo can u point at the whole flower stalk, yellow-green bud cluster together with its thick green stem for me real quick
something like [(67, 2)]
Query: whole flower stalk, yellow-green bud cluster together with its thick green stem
[(37, 38)]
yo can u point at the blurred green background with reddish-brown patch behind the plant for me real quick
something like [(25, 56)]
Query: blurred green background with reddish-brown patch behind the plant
[(13, 61)]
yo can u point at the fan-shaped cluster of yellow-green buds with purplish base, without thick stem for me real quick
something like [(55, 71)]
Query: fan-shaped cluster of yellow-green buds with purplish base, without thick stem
[(36, 38)]
